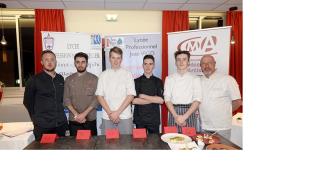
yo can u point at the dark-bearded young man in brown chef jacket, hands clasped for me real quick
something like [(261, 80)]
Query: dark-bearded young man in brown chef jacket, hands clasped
[(79, 97)]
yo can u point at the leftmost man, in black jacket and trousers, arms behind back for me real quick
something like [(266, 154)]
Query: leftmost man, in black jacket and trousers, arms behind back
[(43, 99)]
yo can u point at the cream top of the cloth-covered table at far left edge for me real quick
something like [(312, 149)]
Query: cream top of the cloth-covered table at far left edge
[(13, 129)]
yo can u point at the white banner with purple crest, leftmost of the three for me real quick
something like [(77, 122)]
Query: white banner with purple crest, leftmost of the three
[(66, 44)]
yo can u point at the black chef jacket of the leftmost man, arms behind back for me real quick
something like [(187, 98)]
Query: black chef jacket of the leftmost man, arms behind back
[(43, 98)]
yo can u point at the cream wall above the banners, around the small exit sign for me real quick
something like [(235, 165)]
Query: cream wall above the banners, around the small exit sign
[(128, 21)]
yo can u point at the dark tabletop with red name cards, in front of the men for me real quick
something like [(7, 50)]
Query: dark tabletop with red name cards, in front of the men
[(125, 142)]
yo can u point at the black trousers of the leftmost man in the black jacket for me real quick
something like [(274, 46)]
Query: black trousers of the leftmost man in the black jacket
[(60, 131)]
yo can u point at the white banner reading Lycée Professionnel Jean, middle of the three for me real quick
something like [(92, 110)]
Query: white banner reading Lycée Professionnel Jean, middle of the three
[(135, 47)]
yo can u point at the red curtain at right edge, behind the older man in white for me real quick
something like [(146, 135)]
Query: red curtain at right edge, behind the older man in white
[(234, 19)]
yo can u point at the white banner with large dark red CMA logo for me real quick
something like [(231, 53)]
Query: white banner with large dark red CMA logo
[(213, 41)]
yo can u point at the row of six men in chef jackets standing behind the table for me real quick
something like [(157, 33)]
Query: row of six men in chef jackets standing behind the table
[(46, 95)]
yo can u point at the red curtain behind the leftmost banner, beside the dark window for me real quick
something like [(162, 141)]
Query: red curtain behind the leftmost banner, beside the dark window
[(45, 20)]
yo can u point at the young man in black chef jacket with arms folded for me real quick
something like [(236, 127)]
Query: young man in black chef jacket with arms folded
[(149, 97)]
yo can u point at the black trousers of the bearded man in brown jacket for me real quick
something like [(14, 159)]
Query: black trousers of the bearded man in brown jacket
[(88, 125)]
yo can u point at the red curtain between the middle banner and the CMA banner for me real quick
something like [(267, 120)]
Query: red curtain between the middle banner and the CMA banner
[(172, 21)]
